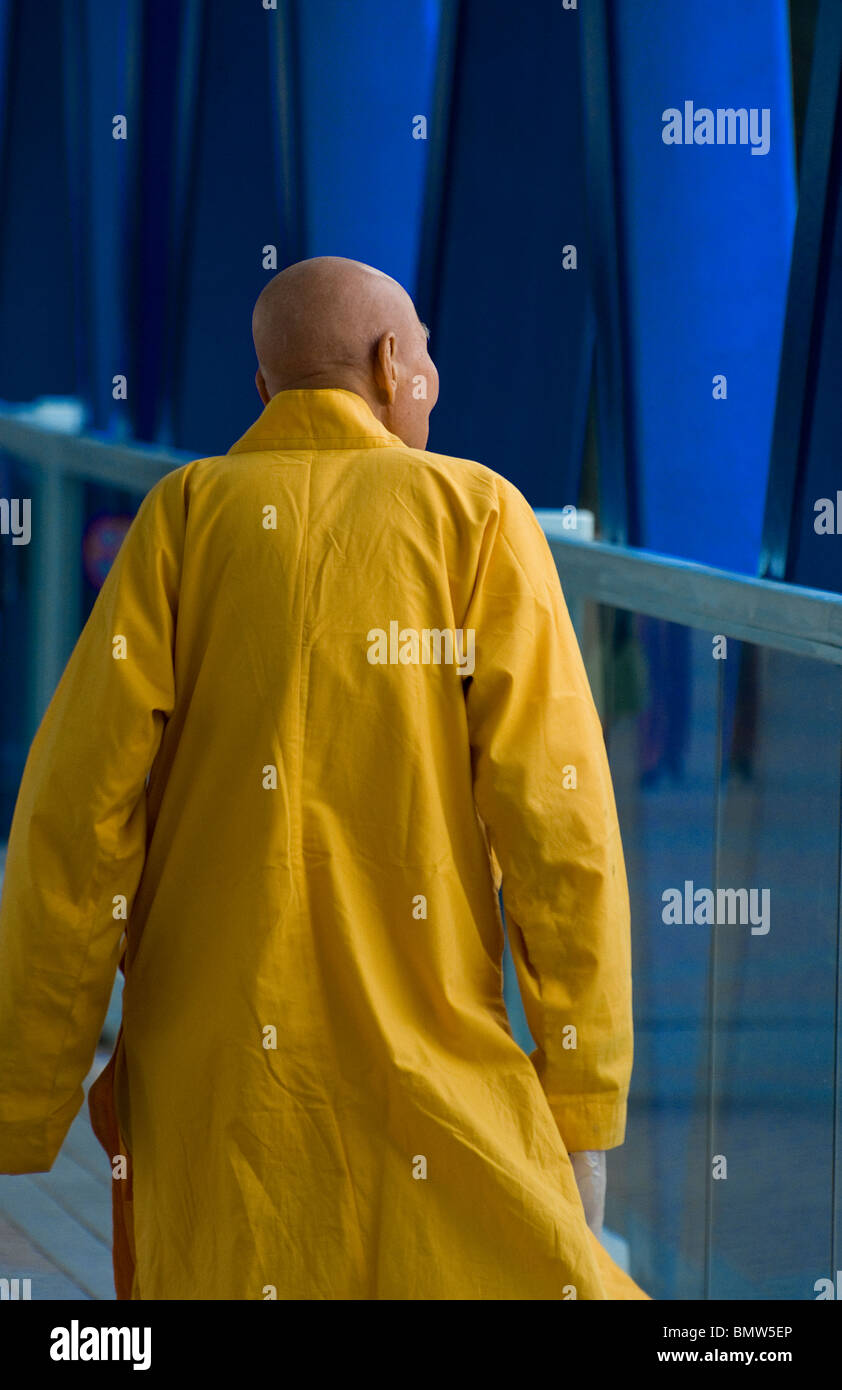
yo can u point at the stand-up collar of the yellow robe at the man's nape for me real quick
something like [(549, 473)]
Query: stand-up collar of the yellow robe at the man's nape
[(323, 419)]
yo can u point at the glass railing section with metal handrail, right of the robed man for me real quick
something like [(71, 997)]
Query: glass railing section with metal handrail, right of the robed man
[(726, 760)]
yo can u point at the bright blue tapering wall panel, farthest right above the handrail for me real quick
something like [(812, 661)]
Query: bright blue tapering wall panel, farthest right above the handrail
[(709, 237)]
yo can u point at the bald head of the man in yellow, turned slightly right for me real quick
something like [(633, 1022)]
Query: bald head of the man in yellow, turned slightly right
[(331, 322)]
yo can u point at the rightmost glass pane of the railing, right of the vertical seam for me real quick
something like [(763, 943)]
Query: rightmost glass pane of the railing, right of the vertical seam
[(775, 988)]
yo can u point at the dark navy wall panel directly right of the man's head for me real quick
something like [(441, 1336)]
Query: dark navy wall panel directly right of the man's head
[(512, 330)]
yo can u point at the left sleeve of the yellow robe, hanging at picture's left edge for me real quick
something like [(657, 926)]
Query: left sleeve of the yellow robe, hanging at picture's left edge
[(79, 837)]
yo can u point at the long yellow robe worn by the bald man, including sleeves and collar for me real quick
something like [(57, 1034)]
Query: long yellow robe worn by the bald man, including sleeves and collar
[(316, 1079)]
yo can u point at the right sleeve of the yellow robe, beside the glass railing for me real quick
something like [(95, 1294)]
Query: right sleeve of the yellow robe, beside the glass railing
[(544, 790)]
